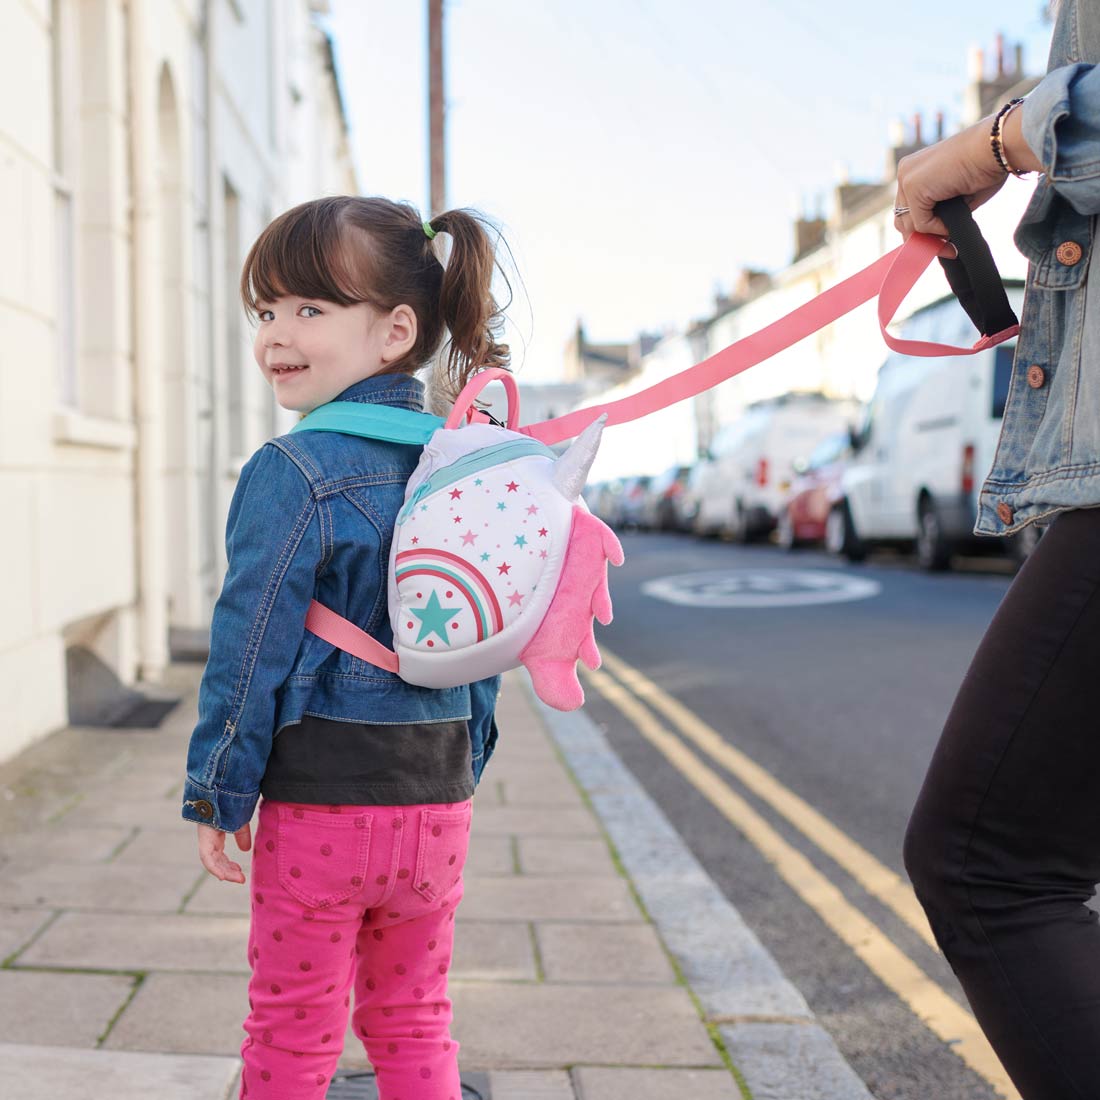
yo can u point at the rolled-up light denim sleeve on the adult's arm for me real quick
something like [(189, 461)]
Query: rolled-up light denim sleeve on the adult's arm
[(1062, 126)]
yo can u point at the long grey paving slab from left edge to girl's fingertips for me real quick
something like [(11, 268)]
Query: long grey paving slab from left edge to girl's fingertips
[(97, 887)]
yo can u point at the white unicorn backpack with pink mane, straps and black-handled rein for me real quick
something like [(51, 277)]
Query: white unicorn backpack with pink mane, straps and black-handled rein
[(497, 562)]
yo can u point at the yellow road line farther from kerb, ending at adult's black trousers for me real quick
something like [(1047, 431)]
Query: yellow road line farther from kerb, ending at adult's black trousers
[(876, 878)]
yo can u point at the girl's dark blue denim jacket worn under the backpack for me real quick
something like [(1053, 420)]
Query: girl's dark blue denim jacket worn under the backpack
[(312, 518)]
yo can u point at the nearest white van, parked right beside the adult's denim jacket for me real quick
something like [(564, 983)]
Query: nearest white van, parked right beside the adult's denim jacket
[(926, 446)]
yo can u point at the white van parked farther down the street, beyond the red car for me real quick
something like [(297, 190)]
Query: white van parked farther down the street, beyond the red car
[(743, 482)]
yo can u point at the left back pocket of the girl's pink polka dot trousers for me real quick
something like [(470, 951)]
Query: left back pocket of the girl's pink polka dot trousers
[(323, 856)]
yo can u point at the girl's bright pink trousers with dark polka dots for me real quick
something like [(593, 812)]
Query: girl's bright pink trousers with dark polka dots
[(354, 897)]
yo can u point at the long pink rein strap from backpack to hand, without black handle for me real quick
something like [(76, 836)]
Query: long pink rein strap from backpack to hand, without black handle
[(892, 279)]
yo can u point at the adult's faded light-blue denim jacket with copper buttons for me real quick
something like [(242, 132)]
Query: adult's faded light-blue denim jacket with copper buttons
[(1049, 456)]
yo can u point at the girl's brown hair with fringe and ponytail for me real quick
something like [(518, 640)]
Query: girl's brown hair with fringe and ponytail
[(347, 249)]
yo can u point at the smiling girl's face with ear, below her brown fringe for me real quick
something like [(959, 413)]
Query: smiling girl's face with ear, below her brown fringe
[(311, 350)]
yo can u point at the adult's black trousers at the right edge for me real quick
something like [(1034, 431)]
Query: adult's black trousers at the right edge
[(1004, 846)]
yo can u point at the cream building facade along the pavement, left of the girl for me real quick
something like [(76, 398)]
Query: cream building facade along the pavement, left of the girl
[(144, 145)]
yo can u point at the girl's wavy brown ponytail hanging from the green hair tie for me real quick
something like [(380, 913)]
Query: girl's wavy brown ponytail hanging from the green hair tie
[(467, 304)]
